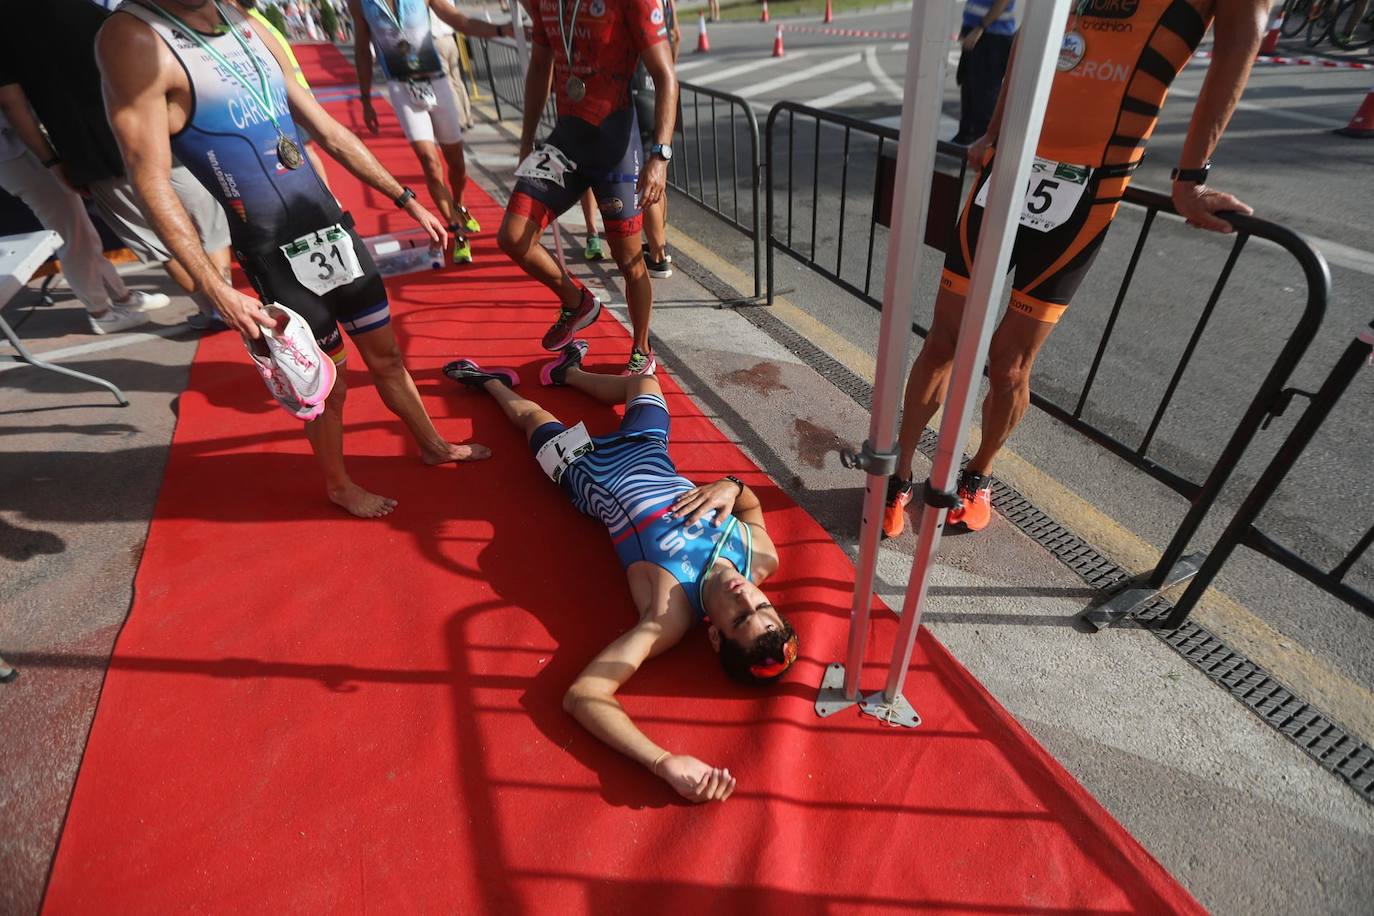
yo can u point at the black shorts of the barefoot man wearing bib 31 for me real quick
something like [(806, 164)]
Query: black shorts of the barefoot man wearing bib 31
[(359, 308)]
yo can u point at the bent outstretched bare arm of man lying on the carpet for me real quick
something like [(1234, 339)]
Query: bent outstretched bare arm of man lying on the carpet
[(592, 701)]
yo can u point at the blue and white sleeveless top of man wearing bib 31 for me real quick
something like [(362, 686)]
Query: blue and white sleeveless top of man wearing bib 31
[(230, 144)]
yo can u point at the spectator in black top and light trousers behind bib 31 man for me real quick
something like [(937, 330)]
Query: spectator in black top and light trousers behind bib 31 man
[(56, 80)]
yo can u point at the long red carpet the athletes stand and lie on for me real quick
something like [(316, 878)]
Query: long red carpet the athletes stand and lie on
[(308, 713)]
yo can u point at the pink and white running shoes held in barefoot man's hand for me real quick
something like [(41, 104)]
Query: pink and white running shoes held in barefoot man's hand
[(297, 373)]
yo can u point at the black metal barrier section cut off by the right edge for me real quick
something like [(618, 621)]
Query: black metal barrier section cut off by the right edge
[(1243, 529)]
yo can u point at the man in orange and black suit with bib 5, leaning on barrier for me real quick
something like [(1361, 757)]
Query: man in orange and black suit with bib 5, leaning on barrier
[(1118, 61)]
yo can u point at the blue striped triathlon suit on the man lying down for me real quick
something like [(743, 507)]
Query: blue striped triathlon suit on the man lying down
[(630, 483)]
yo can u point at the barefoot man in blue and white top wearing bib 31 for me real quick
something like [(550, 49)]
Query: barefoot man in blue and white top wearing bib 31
[(205, 82)]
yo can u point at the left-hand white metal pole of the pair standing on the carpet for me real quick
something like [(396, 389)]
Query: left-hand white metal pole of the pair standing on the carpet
[(932, 24)]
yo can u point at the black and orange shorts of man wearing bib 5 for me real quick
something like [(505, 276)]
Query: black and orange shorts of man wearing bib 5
[(1049, 266)]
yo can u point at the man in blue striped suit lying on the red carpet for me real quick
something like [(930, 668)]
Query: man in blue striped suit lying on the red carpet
[(692, 554)]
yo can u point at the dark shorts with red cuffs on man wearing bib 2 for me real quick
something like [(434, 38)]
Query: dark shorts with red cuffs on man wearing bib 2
[(608, 157)]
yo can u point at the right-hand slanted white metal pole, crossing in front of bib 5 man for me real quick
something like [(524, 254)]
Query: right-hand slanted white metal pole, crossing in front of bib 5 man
[(1033, 73)]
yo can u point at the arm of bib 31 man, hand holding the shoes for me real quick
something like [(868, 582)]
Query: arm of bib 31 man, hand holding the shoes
[(135, 64)]
